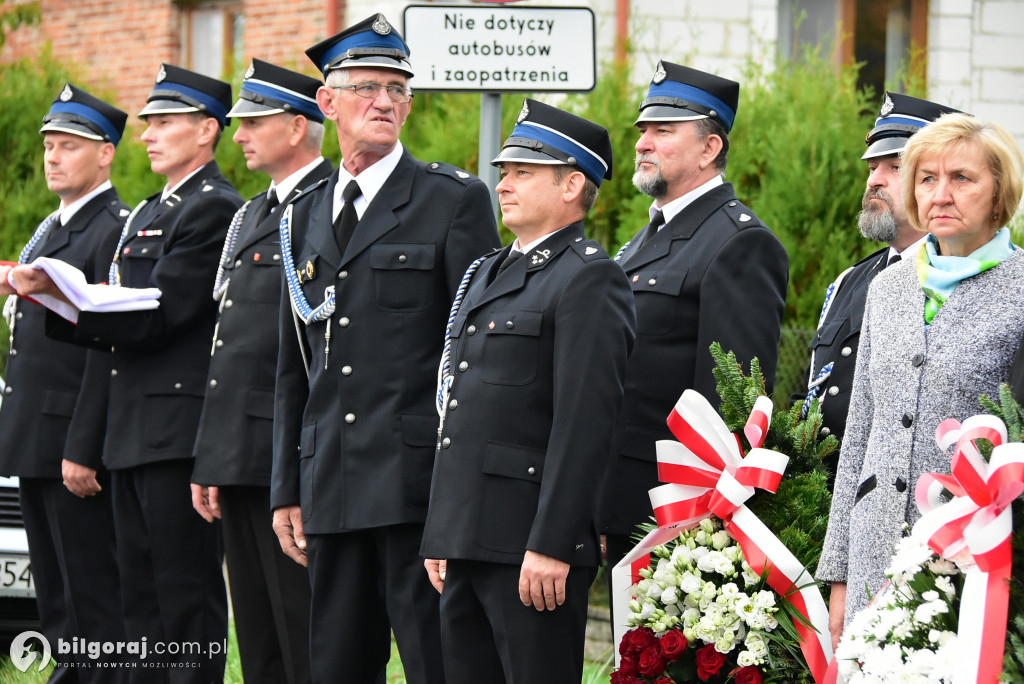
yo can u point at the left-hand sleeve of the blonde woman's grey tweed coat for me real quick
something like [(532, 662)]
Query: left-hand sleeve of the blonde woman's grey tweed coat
[(835, 554)]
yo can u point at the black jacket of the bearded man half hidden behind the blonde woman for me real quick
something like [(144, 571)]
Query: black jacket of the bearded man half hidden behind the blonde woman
[(837, 341)]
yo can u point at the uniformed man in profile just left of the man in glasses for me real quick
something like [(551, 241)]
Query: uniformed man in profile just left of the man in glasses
[(281, 131)]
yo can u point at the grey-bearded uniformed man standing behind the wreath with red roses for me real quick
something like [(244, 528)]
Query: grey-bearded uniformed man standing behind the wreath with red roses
[(706, 270)]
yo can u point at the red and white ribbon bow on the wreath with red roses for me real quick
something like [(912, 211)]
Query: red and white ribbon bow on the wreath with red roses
[(708, 475)]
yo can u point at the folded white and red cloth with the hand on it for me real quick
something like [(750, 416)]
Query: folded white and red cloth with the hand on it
[(64, 289)]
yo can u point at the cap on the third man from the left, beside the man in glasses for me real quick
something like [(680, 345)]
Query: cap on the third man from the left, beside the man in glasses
[(271, 90)]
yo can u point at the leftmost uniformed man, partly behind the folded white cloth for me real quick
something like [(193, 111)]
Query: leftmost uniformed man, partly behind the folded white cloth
[(65, 490)]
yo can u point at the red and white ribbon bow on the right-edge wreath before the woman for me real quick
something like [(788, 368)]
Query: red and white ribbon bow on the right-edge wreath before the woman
[(977, 522)]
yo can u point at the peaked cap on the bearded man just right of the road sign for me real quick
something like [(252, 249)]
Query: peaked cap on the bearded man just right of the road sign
[(682, 94)]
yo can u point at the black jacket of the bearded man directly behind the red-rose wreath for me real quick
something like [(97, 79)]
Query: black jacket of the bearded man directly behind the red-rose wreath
[(714, 274)]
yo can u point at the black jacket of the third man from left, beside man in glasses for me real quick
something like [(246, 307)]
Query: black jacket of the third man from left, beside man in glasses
[(235, 444)]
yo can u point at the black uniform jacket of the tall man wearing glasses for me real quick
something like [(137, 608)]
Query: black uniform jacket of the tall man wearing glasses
[(354, 443)]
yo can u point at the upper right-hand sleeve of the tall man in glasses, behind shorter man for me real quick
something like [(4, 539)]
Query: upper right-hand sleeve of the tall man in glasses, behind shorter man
[(472, 234)]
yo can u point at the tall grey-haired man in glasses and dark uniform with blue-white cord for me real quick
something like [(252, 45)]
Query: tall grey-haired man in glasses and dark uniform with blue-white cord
[(373, 259)]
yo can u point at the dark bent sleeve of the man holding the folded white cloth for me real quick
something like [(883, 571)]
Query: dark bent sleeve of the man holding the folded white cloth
[(185, 275)]
